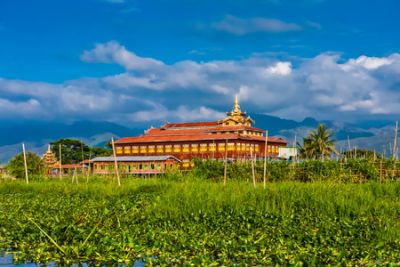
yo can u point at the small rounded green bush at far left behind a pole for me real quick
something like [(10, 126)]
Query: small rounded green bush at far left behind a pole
[(16, 168)]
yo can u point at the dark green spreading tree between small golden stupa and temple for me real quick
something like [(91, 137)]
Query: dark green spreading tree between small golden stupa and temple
[(75, 151)]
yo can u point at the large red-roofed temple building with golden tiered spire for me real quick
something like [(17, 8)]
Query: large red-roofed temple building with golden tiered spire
[(233, 138)]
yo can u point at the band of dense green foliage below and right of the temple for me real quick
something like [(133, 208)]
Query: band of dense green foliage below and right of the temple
[(344, 171)]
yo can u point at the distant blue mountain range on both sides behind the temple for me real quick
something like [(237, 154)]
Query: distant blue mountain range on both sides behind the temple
[(372, 135)]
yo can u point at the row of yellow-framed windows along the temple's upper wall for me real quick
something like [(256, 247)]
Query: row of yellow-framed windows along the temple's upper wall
[(193, 148)]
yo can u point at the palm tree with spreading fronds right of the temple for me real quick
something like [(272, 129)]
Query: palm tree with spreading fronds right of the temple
[(319, 143)]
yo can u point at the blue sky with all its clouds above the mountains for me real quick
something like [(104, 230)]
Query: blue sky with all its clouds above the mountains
[(132, 61)]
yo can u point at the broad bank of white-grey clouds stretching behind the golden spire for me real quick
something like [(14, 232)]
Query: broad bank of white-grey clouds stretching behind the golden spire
[(149, 89)]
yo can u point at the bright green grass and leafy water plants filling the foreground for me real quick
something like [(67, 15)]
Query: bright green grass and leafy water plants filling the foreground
[(201, 222)]
